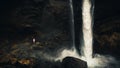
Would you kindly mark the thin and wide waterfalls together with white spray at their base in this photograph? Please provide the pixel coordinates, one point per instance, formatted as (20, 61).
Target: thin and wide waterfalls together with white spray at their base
(98, 61)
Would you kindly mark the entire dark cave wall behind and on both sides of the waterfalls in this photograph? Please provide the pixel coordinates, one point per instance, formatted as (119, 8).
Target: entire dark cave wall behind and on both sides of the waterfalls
(50, 22)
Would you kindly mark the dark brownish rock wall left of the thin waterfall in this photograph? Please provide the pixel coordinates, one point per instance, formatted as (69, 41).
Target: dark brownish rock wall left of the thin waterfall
(42, 20)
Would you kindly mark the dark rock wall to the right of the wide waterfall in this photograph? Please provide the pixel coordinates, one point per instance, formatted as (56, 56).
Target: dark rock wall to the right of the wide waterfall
(106, 27)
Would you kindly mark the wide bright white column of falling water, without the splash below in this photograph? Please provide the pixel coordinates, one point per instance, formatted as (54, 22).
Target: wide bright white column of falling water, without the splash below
(87, 29)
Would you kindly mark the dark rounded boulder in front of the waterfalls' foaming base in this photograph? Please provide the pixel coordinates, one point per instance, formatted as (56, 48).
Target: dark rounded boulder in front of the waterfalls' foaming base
(70, 62)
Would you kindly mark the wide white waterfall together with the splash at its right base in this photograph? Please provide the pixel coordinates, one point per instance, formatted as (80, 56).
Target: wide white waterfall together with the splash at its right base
(98, 61)
